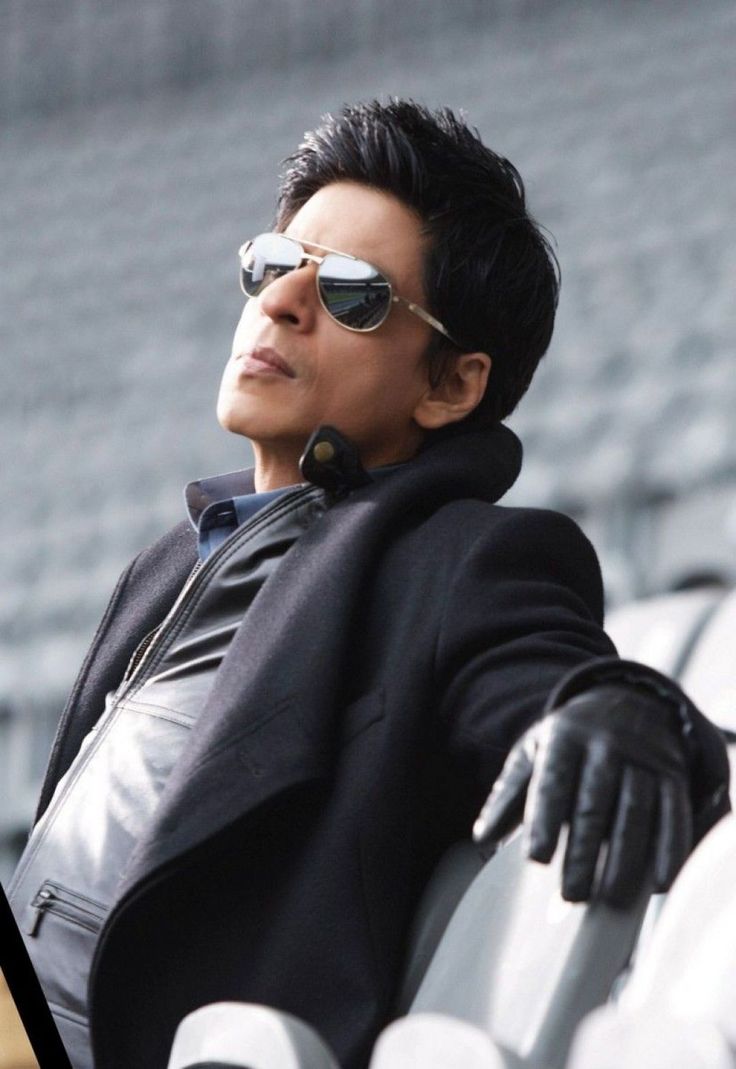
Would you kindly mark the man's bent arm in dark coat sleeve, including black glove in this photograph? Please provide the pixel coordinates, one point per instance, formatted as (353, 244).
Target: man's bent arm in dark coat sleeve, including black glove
(606, 747)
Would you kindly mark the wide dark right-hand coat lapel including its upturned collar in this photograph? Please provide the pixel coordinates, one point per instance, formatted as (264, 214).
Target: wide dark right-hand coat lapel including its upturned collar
(271, 721)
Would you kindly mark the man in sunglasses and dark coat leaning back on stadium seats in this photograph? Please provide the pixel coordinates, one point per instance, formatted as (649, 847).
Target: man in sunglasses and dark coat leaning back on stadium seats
(309, 688)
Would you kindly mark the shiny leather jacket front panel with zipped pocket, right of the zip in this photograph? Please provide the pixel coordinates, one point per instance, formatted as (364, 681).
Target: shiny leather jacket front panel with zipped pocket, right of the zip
(69, 875)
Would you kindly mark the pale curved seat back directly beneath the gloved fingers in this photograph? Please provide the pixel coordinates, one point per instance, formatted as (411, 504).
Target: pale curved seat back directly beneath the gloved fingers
(522, 964)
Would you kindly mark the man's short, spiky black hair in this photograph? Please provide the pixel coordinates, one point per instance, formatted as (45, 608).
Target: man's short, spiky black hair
(492, 276)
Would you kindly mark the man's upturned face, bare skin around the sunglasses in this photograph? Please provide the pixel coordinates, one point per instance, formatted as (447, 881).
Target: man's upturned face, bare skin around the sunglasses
(294, 368)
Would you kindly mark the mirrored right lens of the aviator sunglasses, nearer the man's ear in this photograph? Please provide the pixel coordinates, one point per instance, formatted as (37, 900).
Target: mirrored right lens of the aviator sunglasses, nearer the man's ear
(354, 292)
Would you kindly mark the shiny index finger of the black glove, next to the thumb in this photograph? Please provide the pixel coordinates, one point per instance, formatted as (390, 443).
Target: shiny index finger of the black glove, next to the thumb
(553, 792)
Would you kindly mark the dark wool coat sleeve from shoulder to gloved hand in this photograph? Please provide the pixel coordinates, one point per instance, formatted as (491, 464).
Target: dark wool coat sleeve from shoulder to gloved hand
(525, 607)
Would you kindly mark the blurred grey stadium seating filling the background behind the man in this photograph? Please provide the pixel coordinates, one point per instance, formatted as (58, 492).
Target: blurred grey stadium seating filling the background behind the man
(140, 147)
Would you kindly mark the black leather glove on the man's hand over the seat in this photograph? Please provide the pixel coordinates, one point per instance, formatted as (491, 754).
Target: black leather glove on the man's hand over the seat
(614, 763)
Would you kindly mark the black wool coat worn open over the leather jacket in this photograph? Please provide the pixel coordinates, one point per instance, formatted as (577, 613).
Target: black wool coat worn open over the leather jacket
(352, 733)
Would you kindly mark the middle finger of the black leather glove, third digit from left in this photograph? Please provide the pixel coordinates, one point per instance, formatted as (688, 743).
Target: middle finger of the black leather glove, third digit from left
(592, 819)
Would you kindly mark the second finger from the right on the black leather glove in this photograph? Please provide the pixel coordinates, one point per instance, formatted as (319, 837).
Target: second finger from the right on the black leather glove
(631, 843)
